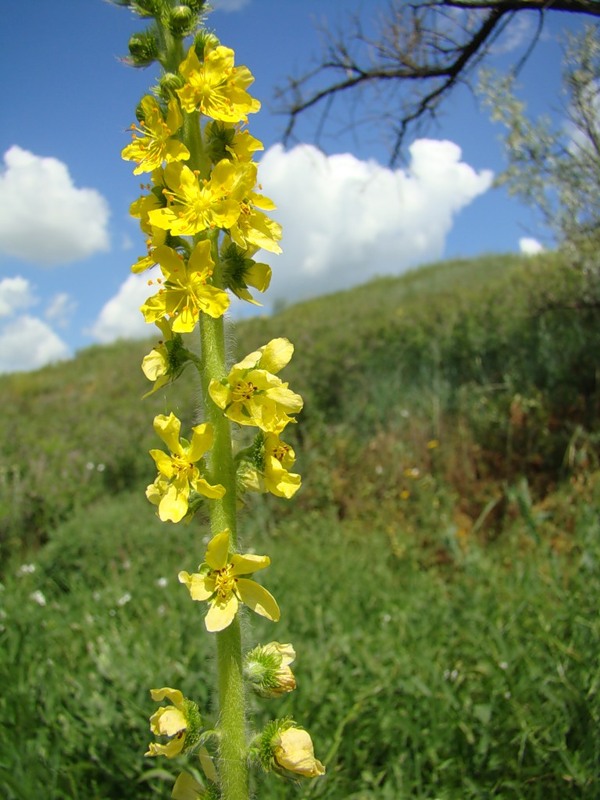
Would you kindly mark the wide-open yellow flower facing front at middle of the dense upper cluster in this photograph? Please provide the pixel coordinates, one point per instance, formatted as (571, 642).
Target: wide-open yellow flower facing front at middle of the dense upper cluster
(195, 206)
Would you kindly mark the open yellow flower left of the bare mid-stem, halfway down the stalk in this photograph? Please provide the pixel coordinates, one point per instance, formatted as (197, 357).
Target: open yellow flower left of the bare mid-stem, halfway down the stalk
(178, 474)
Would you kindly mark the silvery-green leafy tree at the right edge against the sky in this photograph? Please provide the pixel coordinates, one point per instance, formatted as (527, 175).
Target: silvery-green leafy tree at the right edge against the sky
(554, 166)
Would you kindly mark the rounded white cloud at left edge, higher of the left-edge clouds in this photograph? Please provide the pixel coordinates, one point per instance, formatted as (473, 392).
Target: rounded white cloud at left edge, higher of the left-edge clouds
(44, 218)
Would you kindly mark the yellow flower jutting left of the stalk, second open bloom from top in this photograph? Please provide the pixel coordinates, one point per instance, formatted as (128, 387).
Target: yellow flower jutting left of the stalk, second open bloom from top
(156, 143)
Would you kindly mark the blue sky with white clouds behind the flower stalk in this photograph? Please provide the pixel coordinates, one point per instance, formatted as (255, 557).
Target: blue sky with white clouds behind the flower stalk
(66, 238)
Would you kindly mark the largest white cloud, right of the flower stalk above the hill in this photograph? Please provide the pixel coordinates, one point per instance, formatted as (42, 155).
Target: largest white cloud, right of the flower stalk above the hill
(346, 221)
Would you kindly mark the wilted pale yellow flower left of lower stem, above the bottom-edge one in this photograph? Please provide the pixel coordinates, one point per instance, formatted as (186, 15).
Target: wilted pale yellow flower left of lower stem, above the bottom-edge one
(180, 722)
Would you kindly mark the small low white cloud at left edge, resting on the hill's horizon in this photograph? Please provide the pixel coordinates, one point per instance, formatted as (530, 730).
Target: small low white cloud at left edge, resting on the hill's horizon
(27, 343)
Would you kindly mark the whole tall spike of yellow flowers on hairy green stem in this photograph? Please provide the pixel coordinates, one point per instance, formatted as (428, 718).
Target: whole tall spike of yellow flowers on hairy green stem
(205, 218)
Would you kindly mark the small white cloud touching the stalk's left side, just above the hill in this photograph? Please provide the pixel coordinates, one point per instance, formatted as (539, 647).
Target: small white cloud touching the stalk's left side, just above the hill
(120, 317)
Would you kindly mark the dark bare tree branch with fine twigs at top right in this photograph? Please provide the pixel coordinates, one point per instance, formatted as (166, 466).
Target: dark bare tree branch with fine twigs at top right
(418, 55)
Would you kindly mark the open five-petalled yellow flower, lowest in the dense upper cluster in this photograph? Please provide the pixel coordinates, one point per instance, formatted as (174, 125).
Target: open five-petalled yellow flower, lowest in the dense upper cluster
(185, 292)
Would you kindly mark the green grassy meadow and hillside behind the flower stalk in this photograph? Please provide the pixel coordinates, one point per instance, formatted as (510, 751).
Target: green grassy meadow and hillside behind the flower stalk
(438, 573)
